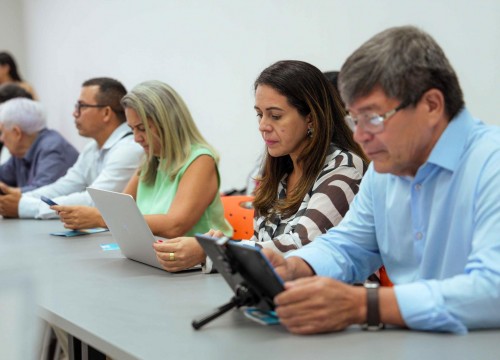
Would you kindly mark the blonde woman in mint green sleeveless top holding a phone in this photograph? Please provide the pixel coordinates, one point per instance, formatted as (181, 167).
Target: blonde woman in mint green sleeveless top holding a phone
(177, 185)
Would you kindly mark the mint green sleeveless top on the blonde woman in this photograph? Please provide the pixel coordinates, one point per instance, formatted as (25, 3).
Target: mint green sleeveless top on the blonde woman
(156, 198)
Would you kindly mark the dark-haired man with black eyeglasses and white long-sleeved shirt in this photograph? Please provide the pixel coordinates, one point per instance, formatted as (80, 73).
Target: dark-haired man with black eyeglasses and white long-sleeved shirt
(107, 162)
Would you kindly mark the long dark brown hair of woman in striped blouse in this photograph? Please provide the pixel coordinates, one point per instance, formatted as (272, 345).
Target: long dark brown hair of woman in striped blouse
(308, 90)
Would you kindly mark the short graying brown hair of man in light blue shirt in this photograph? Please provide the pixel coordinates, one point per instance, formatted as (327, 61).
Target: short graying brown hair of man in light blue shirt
(405, 62)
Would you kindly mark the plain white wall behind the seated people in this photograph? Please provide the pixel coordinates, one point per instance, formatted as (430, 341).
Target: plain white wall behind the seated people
(211, 51)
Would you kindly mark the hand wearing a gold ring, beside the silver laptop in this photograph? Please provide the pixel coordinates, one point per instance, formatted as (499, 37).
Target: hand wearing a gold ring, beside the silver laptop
(179, 254)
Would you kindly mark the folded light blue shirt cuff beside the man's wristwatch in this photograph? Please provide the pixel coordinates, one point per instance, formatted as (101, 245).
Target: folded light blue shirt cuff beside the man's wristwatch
(423, 308)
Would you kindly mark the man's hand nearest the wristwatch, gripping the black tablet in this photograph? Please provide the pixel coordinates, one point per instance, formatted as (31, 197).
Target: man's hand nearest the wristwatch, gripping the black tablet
(318, 304)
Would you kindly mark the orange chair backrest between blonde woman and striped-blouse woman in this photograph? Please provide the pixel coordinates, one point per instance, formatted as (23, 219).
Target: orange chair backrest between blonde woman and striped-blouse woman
(238, 211)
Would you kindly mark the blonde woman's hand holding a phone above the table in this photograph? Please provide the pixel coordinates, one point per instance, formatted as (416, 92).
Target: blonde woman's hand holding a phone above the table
(79, 217)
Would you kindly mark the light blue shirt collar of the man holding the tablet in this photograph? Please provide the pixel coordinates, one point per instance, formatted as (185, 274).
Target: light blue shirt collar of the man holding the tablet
(451, 145)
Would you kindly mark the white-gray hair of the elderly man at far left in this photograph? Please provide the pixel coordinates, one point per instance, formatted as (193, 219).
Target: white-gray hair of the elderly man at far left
(28, 114)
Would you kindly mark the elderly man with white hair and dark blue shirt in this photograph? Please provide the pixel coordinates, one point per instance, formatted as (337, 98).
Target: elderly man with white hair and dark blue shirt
(39, 155)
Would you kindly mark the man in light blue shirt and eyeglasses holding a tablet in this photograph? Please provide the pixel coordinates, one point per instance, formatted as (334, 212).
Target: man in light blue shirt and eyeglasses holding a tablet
(428, 208)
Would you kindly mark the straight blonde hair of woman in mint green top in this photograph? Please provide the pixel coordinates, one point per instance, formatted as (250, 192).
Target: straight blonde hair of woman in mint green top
(157, 104)
